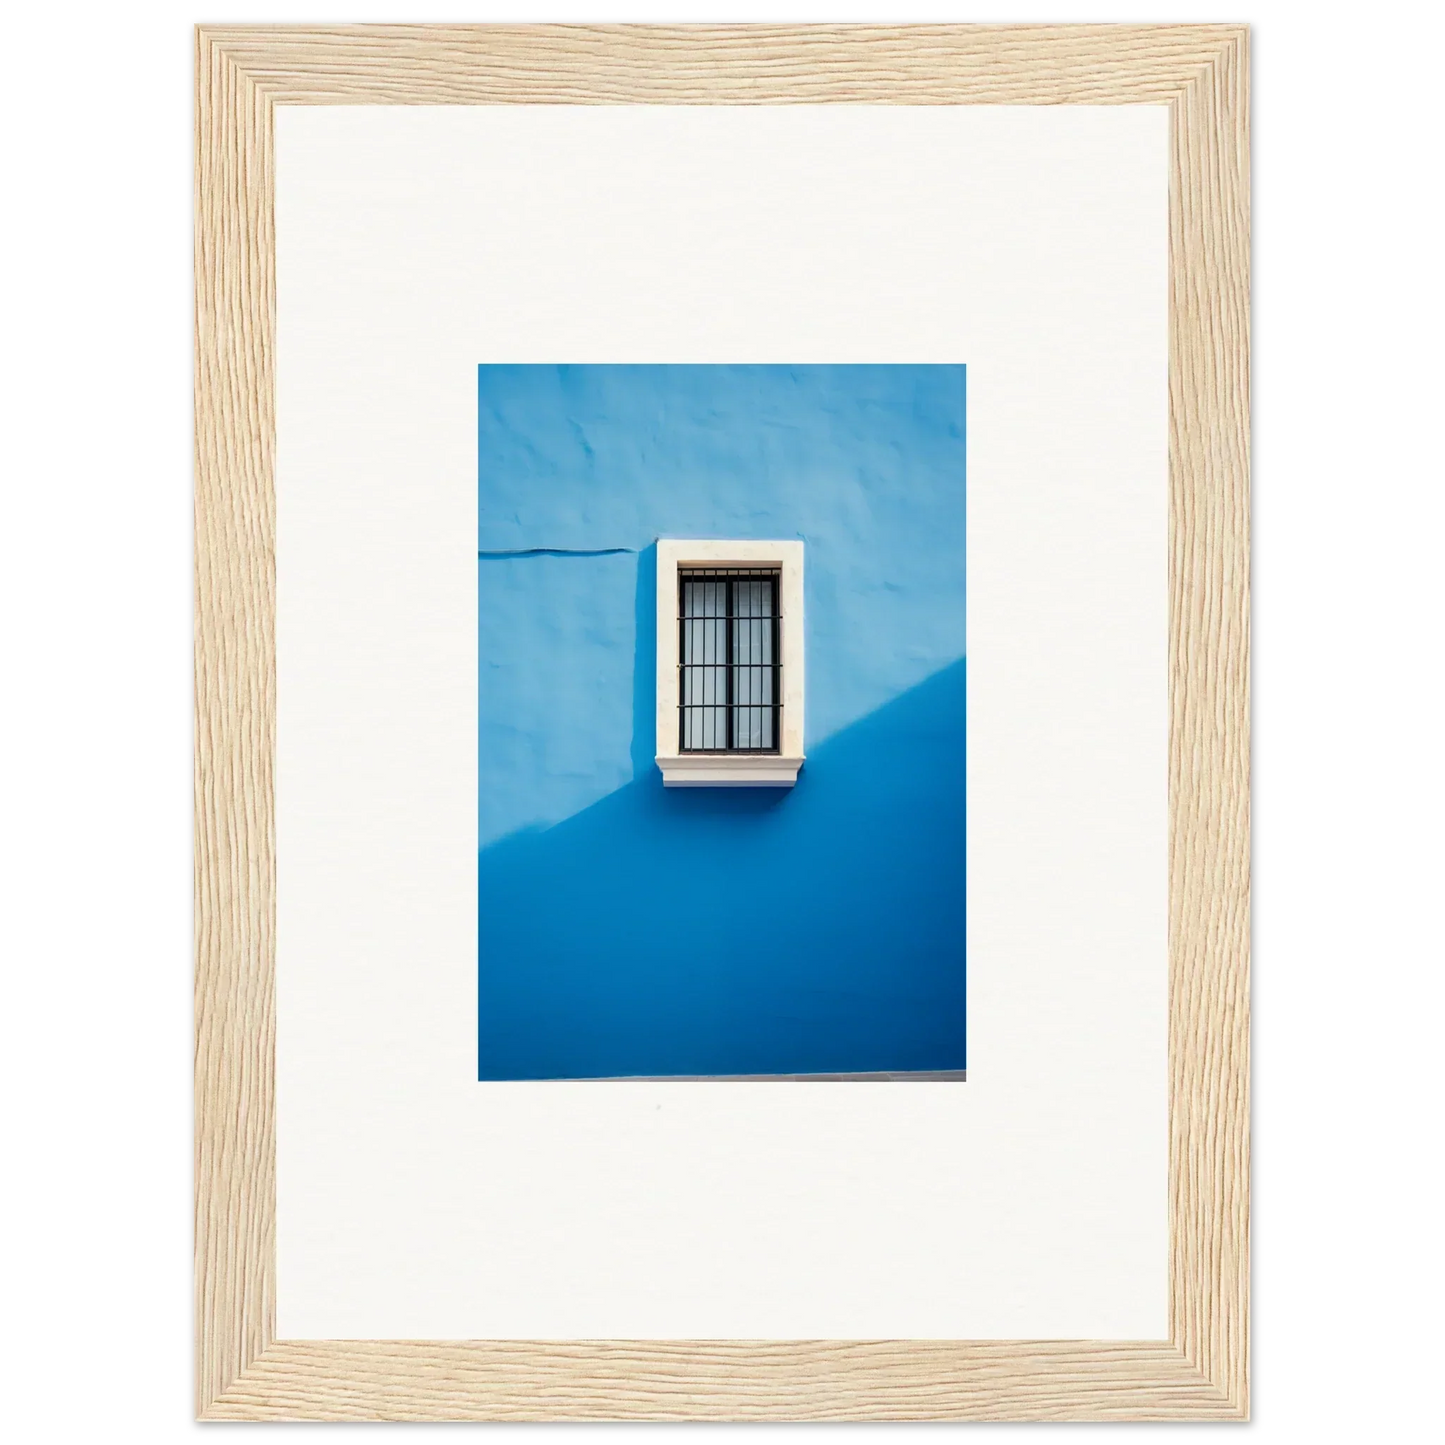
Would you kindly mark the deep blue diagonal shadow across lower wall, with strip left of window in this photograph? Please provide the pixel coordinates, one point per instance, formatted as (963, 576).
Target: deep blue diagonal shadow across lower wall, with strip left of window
(817, 930)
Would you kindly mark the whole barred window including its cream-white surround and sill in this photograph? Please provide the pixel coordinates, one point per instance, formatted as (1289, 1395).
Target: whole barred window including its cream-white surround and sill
(730, 664)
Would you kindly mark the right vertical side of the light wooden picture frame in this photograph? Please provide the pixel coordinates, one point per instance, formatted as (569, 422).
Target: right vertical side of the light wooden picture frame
(1210, 723)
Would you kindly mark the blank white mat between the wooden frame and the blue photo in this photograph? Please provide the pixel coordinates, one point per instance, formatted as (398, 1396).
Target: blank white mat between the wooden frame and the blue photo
(1028, 243)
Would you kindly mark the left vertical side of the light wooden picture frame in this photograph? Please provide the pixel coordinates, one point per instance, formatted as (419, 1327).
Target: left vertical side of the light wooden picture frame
(235, 725)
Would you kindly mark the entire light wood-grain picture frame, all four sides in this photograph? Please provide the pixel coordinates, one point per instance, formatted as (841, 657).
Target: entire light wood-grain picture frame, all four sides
(242, 73)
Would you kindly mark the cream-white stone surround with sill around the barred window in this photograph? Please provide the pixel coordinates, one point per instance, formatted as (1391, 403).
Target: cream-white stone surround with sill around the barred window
(732, 769)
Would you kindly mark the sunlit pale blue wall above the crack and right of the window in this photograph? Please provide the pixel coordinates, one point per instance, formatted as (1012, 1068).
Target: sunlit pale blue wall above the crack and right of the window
(863, 463)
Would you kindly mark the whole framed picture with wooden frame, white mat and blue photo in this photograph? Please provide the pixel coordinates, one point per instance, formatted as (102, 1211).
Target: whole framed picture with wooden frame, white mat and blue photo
(722, 723)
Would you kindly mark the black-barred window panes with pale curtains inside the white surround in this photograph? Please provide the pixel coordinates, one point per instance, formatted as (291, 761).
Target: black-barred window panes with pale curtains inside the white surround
(729, 660)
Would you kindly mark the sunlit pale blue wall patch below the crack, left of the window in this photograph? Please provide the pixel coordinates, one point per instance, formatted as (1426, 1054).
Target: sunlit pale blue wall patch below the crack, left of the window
(556, 719)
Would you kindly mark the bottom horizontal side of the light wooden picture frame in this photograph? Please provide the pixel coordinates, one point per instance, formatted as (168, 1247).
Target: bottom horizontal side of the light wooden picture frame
(728, 1381)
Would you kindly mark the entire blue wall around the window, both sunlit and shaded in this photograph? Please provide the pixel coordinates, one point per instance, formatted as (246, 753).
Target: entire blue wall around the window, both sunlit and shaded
(626, 928)
